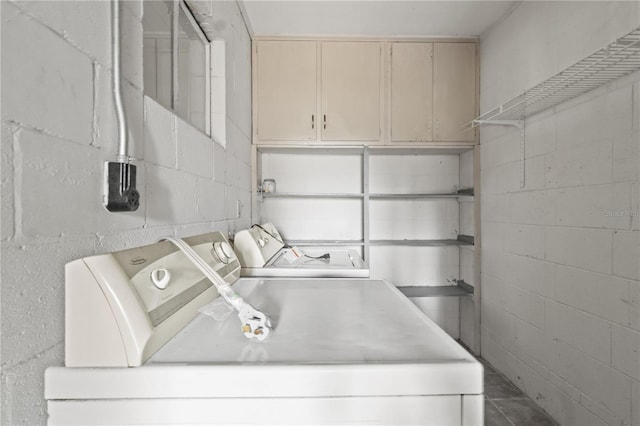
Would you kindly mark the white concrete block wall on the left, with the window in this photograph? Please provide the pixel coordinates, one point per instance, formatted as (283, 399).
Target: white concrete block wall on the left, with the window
(58, 127)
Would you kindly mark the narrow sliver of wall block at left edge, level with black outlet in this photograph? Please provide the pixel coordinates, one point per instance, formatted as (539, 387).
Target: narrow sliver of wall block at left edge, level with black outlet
(7, 208)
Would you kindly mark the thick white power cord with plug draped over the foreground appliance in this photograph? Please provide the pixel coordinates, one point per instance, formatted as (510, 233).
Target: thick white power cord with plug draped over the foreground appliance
(254, 322)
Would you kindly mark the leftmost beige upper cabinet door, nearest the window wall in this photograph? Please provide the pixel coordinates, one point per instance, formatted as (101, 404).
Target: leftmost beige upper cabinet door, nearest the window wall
(286, 90)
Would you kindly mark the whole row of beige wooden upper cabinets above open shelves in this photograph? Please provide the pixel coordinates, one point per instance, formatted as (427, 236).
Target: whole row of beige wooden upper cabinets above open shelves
(326, 91)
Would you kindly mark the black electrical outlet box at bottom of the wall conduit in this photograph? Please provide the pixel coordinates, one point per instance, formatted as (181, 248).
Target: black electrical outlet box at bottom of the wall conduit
(120, 193)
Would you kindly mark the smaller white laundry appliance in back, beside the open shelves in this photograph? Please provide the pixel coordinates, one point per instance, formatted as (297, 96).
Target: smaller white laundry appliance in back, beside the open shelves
(263, 253)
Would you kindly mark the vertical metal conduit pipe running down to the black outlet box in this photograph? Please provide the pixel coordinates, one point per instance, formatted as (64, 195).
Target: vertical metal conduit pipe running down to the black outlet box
(123, 156)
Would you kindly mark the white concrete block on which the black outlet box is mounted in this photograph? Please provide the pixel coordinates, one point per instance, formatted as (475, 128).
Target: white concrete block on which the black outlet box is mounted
(73, 177)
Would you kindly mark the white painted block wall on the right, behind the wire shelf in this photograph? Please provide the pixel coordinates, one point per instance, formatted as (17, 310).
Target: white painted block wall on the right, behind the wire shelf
(560, 258)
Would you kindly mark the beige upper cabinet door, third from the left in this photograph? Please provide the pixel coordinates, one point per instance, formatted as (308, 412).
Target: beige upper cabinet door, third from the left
(411, 92)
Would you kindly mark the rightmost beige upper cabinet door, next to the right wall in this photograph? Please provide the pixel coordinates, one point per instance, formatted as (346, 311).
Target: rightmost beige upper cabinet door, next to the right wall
(454, 90)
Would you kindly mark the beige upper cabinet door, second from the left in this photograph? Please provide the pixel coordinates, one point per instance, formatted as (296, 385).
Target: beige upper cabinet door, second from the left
(351, 91)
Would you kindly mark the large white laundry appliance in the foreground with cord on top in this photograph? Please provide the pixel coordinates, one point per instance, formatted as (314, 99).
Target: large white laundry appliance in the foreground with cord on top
(339, 351)
